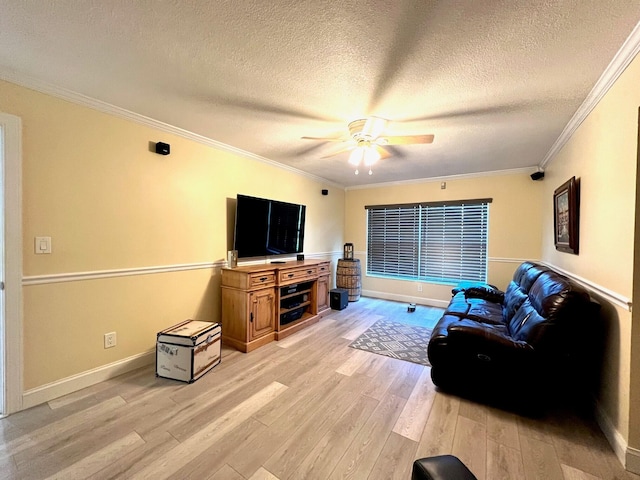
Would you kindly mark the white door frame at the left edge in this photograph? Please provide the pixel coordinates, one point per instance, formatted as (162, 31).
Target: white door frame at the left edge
(12, 362)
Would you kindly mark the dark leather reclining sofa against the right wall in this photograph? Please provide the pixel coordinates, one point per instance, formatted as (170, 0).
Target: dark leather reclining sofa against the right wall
(525, 344)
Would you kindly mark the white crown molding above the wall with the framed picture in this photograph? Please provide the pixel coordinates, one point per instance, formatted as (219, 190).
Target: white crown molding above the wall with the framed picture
(620, 62)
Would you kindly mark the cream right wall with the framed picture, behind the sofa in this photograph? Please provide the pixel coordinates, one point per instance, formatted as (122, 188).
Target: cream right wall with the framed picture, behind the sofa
(602, 154)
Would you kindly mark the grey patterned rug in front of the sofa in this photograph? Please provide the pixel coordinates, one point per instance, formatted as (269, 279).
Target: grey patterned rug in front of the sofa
(397, 340)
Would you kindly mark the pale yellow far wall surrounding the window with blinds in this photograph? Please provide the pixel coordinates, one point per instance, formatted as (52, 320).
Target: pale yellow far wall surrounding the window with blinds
(514, 225)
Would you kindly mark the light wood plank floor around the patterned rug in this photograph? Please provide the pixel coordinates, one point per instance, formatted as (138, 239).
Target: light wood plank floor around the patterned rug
(308, 407)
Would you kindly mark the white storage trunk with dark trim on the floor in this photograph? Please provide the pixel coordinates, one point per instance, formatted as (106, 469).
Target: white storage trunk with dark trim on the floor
(188, 350)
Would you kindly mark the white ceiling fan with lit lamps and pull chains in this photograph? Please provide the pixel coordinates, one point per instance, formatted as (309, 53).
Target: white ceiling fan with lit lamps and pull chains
(367, 143)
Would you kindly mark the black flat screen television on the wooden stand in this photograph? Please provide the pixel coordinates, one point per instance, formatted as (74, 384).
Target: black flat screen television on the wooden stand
(268, 227)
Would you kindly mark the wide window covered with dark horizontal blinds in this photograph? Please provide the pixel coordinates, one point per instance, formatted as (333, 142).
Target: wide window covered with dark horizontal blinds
(434, 242)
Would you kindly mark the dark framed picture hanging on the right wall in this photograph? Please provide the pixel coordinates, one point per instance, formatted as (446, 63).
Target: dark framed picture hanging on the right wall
(565, 216)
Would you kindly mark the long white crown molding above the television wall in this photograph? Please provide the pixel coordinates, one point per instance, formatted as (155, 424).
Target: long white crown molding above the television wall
(32, 83)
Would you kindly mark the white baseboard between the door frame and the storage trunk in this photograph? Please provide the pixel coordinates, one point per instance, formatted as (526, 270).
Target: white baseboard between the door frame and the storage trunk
(50, 391)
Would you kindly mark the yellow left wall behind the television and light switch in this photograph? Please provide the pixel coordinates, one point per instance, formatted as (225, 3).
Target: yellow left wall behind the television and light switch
(91, 182)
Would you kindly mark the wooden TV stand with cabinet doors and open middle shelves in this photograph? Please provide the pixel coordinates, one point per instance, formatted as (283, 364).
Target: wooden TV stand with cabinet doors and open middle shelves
(263, 303)
